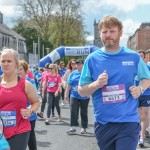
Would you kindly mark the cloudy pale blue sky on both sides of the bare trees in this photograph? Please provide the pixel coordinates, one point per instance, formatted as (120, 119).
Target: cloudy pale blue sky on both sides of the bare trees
(131, 12)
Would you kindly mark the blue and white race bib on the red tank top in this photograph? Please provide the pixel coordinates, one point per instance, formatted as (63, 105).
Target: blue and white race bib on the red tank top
(9, 118)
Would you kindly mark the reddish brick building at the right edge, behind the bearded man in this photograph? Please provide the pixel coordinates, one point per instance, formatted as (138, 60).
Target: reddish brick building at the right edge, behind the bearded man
(140, 40)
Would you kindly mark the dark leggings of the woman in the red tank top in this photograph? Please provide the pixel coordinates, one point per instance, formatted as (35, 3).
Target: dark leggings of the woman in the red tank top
(19, 141)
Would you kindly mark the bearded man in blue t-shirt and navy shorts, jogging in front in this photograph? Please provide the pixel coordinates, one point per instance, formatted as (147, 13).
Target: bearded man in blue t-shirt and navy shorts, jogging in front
(108, 75)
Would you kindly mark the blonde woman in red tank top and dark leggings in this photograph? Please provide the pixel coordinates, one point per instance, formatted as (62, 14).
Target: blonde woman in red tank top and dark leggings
(14, 95)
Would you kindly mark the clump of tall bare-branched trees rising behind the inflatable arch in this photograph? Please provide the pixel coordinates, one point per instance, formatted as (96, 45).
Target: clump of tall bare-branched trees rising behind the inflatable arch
(58, 21)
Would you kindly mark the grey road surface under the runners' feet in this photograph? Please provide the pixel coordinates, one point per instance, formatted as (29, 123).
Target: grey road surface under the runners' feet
(54, 136)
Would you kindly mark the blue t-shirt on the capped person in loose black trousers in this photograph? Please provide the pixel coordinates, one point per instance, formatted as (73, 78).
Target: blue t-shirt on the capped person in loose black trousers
(73, 80)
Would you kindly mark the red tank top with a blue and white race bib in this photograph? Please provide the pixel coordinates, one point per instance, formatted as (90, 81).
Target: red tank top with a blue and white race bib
(11, 101)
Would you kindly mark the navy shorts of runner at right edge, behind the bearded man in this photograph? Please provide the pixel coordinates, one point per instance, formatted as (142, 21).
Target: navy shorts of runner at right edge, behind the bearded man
(144, 101)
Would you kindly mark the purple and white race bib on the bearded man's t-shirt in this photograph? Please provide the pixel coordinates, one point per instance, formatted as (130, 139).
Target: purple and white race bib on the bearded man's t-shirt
(114, 94)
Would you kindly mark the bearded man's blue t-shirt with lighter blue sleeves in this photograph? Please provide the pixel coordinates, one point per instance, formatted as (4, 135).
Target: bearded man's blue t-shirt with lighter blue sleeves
(113, 102)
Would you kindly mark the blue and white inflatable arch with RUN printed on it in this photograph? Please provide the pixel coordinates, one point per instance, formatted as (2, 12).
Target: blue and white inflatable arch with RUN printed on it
(62, 51)
